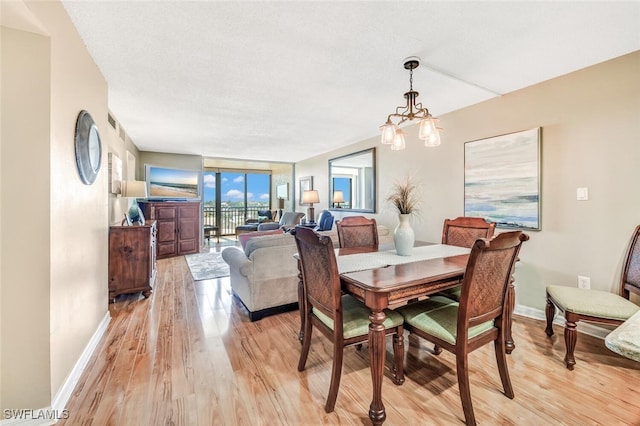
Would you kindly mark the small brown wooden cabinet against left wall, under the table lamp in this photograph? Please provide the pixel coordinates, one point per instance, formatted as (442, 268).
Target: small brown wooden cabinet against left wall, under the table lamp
(132, 259)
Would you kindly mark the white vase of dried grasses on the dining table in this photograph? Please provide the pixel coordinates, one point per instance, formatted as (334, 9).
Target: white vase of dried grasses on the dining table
(404, 197)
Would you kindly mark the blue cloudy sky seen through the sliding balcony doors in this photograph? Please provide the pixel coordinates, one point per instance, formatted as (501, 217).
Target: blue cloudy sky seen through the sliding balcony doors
(233, 187)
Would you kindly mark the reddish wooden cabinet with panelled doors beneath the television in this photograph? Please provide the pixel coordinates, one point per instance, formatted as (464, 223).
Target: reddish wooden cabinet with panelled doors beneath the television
(178, 226)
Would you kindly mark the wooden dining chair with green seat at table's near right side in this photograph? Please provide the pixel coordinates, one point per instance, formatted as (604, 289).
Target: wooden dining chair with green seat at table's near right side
(480, 317)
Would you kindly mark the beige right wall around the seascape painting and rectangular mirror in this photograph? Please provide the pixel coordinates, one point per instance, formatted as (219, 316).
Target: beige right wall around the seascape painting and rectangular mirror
(590, 123)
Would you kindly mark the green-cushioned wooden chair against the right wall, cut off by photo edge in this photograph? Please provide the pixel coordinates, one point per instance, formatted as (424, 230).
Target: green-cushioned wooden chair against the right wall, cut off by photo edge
(594, 305)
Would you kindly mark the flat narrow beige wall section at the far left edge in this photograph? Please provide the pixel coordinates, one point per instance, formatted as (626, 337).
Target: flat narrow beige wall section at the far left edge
(24, 227)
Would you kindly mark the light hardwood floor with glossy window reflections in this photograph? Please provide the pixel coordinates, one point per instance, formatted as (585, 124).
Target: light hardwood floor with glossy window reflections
(189, 356)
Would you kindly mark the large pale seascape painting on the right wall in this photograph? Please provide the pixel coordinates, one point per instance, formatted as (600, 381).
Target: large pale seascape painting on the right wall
(502, 179)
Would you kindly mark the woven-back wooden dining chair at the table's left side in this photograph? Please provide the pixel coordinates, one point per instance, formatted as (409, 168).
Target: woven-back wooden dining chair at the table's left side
(341, 318)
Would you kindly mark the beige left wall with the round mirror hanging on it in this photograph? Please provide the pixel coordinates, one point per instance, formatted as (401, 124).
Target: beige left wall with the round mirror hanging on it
(54, 236)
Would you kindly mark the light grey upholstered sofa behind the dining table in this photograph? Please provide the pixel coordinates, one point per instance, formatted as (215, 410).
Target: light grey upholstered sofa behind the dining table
(264, 274)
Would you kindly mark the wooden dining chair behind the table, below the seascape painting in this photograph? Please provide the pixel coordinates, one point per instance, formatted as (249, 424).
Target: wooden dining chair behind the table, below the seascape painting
(463, 232)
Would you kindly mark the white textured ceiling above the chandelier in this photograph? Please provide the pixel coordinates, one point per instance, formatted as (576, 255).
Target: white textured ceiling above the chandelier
(284, 81)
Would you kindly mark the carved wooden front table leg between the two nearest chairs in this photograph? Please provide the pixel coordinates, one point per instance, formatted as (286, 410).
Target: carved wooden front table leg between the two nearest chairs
(377, 353)
